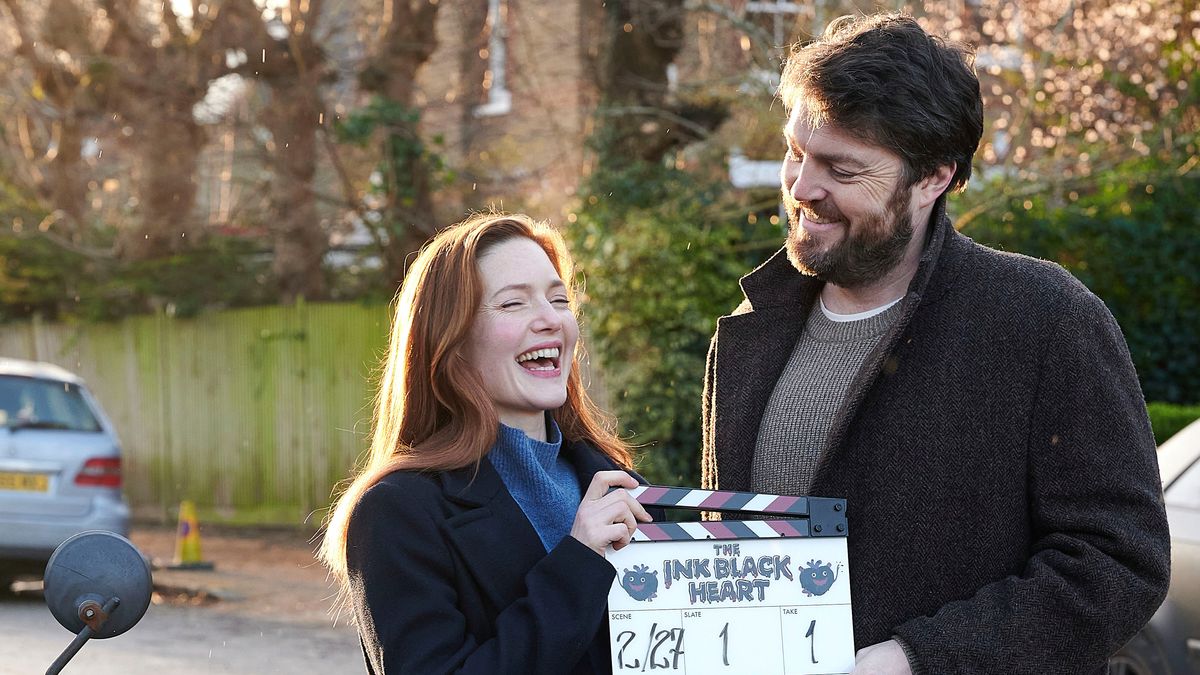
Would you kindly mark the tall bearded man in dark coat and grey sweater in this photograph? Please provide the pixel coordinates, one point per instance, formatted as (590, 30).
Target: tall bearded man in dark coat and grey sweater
(979, 410)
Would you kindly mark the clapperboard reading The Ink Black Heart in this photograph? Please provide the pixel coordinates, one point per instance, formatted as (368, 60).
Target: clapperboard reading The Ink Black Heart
(734, 596)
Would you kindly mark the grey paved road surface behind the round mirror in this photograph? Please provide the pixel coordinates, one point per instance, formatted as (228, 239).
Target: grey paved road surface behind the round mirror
(177, 640)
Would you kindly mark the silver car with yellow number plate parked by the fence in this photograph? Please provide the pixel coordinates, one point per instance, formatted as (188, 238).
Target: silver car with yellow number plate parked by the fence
(61, 465)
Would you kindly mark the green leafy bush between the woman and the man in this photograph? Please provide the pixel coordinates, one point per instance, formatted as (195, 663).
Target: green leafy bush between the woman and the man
(661, 254)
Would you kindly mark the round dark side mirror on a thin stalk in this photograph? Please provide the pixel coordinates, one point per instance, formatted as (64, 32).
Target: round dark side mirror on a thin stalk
(97, 586)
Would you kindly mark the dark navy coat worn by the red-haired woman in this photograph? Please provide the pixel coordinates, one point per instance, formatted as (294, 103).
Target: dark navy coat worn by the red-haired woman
(449, 576)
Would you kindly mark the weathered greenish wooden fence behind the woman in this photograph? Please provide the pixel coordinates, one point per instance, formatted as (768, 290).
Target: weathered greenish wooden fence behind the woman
(255, 415)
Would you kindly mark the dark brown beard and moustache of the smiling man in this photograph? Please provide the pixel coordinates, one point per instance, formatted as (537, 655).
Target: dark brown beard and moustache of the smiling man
(869, 250)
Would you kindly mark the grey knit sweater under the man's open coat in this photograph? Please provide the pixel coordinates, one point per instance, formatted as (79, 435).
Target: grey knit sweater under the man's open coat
(807, 398)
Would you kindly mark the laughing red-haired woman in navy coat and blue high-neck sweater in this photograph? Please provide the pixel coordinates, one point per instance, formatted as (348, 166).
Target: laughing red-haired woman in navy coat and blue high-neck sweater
(473, 539)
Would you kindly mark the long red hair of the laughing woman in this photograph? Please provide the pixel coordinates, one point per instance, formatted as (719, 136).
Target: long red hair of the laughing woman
(431, 411)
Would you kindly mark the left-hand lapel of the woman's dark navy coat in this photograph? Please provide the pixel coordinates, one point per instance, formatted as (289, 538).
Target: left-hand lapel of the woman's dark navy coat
(497, 542)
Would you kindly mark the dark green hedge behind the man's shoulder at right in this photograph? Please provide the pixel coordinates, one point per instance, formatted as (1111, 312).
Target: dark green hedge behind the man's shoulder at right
(1133, 237)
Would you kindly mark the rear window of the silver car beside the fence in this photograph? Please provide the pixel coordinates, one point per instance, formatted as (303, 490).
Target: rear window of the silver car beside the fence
(27, 403)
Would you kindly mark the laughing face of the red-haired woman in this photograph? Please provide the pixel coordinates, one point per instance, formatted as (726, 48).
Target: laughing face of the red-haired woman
(524, 338)
